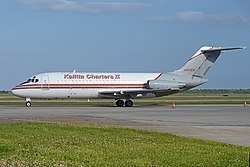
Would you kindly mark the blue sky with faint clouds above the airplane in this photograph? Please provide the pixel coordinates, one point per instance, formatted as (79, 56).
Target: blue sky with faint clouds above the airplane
(39, 36)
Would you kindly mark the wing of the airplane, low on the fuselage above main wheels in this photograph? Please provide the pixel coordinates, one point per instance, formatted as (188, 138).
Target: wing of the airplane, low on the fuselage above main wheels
(128, 94)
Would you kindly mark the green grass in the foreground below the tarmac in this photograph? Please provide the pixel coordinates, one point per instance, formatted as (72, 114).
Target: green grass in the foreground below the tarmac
(44, 144)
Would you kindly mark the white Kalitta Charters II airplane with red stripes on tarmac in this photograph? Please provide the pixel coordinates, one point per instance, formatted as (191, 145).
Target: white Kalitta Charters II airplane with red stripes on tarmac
(119, 86)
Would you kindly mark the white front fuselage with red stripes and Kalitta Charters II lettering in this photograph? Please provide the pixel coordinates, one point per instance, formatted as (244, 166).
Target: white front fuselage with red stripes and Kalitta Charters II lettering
(80, 85)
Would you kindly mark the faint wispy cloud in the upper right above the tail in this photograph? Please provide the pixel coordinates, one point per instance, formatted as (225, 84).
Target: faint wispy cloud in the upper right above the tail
(197, 16)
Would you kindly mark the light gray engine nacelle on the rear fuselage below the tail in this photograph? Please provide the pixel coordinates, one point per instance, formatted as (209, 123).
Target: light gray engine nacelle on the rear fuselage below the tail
(164, 84)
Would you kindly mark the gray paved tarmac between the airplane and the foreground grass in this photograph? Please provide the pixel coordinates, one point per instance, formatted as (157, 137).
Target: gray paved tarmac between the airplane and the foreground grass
(223, 123)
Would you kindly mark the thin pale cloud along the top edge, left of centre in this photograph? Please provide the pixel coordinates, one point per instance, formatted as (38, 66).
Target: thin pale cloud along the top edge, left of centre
(85, 7)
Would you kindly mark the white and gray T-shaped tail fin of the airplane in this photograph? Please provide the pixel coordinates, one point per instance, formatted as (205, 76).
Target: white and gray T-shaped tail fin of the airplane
(202, 60)
